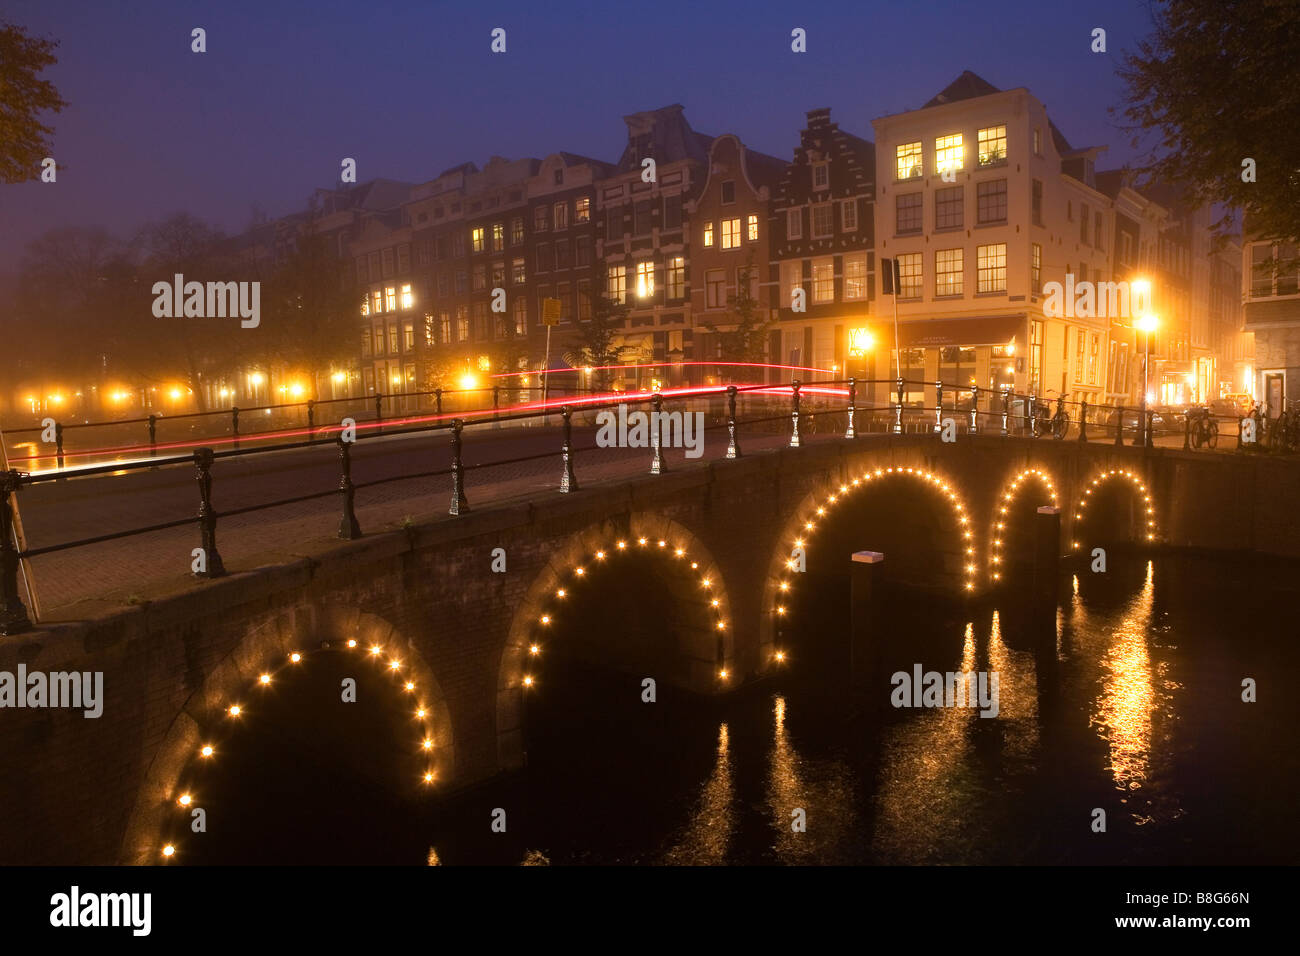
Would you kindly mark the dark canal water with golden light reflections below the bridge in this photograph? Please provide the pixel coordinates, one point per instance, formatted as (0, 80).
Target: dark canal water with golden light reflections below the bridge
(1134, 708)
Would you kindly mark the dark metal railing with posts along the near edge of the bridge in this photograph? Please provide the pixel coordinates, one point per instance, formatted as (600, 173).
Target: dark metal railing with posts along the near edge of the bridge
(804, 409)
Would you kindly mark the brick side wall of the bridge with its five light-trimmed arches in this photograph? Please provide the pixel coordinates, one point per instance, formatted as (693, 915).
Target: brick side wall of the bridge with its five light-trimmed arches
(456, 613)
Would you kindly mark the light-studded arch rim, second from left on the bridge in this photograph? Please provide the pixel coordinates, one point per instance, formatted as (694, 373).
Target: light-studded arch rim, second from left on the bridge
(679, 557)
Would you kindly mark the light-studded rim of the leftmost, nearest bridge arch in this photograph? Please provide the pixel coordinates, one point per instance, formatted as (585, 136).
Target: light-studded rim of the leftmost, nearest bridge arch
(280, 648)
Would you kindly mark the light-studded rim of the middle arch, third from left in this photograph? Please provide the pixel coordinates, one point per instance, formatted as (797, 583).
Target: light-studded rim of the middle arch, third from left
(812, 516)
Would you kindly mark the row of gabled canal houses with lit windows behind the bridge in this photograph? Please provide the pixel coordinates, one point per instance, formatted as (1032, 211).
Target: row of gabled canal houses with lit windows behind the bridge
(977, 194)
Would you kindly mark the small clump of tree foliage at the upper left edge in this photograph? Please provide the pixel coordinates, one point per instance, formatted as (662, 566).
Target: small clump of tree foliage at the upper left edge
(24, 140)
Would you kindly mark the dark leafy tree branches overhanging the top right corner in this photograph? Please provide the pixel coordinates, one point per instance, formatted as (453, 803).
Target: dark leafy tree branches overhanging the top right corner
(1215, 86)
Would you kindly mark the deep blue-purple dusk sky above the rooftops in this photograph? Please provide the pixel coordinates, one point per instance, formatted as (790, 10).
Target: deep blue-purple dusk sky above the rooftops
(409, 89)
